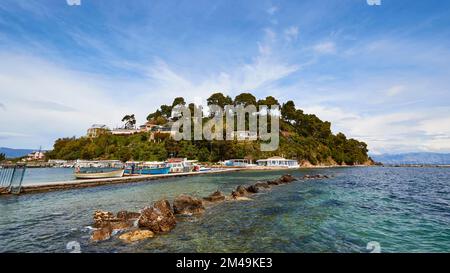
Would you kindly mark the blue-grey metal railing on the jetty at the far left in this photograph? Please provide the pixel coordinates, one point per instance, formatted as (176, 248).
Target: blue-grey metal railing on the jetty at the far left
(11, 177)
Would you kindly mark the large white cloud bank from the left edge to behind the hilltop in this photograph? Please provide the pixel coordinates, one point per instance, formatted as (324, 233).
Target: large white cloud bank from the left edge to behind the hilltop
(42, 100)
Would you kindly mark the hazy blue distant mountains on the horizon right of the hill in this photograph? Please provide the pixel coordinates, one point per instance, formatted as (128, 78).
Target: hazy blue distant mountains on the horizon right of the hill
(413, 158)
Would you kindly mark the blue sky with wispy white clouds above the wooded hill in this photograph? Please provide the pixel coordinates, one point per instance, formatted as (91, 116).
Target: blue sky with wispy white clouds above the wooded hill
(378, 73)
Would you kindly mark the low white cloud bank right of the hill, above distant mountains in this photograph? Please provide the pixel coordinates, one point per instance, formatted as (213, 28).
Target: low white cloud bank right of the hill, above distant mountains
(391, 132)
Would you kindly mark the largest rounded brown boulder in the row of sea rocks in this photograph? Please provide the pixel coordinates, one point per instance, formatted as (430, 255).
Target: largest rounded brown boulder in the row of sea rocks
(159, 218)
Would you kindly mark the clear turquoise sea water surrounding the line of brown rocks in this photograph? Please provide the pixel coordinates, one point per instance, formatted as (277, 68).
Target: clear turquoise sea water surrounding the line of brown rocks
(404, 209)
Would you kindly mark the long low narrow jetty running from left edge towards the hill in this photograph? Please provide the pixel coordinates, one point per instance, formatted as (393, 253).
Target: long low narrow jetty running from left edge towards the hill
(88, 183)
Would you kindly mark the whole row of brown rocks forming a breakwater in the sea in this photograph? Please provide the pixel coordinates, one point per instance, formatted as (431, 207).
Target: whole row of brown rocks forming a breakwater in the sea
(162, 216)
